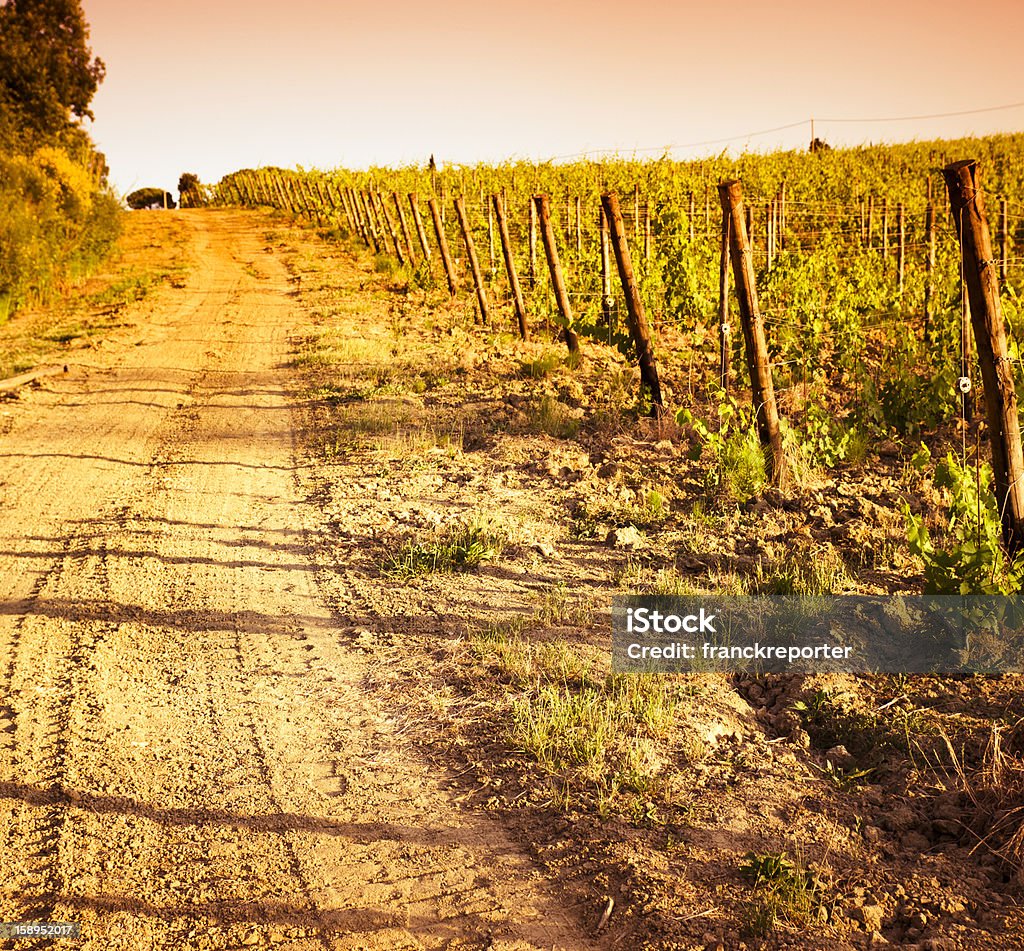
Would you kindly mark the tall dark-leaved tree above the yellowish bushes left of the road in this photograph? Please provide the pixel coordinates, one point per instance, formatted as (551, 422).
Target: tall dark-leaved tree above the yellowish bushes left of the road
(49, 75)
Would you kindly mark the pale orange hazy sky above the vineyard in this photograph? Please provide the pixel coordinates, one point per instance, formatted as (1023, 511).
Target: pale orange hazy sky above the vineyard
(211, 88)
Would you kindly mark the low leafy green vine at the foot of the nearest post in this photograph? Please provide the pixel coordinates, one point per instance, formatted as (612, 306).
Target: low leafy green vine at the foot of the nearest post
(974, 561)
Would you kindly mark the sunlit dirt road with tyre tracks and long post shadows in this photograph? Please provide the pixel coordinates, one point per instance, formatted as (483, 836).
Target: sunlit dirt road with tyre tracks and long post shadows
(189, 758)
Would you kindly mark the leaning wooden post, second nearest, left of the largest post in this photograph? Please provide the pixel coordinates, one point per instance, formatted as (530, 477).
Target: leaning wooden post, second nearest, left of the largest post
(758, 362)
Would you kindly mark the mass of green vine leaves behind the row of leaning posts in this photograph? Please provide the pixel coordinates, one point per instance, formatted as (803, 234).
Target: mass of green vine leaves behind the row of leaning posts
(841, 243)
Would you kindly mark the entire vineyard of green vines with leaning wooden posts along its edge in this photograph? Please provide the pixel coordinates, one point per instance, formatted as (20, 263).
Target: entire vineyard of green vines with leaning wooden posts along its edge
(851, 261)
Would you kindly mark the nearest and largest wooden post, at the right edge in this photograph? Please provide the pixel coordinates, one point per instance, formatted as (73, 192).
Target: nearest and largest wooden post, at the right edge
(982, 276)
